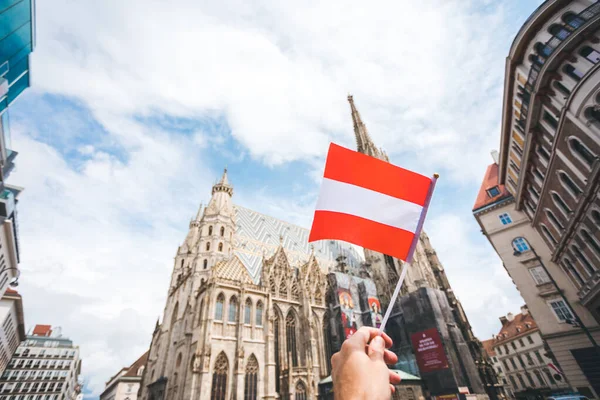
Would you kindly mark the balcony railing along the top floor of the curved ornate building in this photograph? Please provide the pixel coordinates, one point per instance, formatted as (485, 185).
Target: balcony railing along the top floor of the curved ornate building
(547, 49)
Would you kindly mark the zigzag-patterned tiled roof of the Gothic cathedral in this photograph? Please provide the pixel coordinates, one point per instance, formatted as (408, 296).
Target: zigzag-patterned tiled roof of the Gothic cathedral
(257, 233)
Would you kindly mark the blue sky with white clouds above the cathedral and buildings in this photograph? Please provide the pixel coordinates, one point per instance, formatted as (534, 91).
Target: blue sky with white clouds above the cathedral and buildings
(127, 126)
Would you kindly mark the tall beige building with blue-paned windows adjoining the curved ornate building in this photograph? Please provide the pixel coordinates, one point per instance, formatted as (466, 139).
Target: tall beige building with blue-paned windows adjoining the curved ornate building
(511, 234)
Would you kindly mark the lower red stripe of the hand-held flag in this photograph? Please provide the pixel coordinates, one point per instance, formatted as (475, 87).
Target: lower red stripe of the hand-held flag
(363, 232)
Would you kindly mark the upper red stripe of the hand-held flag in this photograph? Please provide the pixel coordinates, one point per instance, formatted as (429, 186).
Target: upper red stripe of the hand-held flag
(361, 170)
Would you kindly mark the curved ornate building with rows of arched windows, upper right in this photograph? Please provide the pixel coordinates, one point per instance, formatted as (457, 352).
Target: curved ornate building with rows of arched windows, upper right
(550, 140)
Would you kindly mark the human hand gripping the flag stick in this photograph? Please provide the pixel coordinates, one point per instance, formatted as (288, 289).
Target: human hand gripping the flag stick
(358, 369)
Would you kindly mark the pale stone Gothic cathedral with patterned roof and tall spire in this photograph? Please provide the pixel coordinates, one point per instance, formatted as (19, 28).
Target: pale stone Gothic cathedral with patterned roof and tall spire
(246, 315)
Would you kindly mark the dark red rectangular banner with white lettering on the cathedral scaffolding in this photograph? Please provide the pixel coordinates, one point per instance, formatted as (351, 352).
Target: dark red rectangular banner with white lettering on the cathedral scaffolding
(429, 350)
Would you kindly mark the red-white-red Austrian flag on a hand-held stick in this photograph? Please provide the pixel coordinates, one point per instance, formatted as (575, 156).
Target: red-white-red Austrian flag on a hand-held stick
(371, 203)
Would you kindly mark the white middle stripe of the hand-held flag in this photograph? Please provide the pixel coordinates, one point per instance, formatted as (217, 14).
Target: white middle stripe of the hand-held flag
(350, 199)
